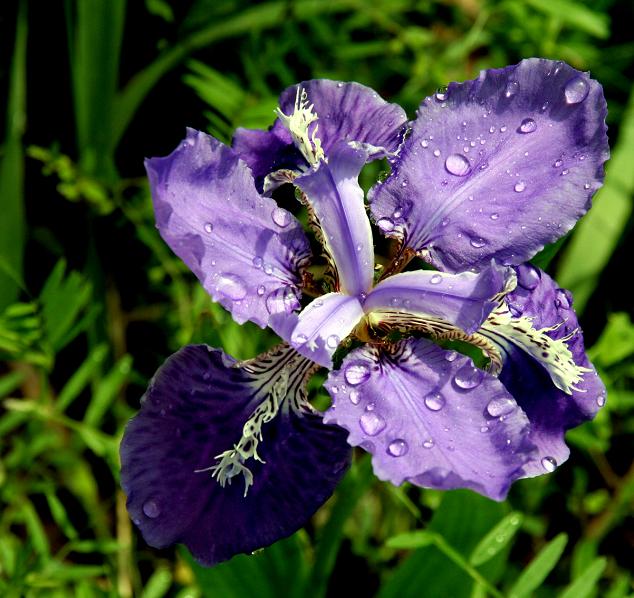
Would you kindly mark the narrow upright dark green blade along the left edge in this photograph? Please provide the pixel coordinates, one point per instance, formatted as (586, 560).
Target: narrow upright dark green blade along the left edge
(12, 221)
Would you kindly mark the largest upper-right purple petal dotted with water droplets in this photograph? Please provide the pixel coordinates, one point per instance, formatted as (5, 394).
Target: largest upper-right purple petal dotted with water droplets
(497, 167)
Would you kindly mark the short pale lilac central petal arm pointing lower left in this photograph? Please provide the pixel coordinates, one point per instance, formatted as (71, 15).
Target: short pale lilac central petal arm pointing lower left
(320, 327)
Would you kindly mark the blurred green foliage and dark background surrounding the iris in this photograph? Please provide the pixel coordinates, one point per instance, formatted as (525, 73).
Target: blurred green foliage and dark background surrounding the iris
(92, 301)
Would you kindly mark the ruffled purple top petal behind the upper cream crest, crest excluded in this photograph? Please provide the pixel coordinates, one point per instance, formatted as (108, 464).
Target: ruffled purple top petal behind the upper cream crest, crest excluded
(346, 111)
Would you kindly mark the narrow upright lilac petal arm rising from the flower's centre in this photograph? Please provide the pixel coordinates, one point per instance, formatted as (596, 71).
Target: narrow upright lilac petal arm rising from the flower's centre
(335, 196)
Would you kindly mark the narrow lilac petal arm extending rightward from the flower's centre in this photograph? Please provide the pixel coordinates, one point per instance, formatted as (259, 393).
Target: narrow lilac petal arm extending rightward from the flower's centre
(464, 300)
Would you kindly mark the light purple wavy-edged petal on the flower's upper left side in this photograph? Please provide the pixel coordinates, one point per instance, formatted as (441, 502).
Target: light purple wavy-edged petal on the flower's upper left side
(246, 251)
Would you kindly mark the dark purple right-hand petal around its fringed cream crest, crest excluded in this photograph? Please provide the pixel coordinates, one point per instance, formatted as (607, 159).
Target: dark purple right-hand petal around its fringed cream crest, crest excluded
(551, 411)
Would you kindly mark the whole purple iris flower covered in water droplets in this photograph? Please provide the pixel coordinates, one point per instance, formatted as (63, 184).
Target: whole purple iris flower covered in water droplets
(226, 456)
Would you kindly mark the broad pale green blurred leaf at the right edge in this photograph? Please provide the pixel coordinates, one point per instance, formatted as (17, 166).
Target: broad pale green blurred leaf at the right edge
(595, 238)
